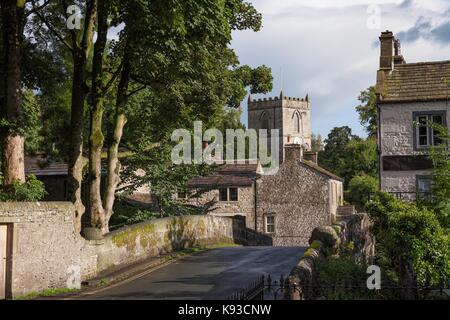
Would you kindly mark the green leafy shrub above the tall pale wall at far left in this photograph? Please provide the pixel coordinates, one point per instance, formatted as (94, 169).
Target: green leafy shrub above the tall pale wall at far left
(32, 190)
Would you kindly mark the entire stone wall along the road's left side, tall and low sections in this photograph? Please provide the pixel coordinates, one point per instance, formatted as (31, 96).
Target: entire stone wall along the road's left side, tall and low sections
(47, 252)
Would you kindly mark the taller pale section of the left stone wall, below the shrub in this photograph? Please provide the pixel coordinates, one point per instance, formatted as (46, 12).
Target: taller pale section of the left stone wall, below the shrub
(44, 247)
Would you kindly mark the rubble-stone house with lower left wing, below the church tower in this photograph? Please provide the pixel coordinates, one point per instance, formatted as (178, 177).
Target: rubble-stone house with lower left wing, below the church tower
(286, 206)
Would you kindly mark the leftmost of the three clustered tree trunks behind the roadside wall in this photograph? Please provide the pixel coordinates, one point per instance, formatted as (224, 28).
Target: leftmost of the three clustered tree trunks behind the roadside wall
(79, 92)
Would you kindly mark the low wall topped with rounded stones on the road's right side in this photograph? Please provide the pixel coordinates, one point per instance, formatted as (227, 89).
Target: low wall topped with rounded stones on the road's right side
(326, 241)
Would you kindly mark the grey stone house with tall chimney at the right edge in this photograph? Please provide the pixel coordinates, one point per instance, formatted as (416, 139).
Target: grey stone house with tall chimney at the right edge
(408, 94)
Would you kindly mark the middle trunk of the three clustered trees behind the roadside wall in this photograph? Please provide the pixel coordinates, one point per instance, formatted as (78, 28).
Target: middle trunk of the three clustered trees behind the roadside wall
(96, 138)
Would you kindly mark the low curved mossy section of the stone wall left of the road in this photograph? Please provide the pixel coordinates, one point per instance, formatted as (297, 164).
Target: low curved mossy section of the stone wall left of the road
(156, 237)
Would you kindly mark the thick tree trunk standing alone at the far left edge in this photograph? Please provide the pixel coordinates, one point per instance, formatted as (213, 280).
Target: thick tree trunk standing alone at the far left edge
(13, 142)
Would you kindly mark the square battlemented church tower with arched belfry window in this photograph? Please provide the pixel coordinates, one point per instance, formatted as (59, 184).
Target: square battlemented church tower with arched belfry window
(291, 116)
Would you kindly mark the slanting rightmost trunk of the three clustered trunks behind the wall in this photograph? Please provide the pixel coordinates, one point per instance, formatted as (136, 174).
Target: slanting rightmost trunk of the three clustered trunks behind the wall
(113, 178)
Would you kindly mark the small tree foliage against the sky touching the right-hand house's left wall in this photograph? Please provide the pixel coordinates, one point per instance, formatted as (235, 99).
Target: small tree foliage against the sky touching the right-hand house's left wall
(367, 111)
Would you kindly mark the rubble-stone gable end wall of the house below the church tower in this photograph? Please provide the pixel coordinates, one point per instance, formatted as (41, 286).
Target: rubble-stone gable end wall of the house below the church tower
(299, 198)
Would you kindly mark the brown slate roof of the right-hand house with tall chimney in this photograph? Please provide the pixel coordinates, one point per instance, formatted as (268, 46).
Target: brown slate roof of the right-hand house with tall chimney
(417, 82)
